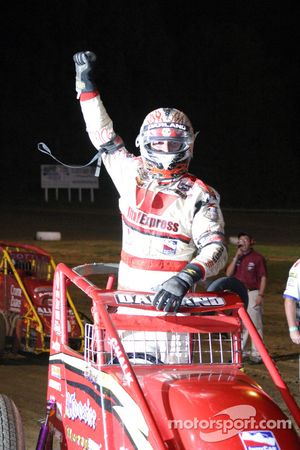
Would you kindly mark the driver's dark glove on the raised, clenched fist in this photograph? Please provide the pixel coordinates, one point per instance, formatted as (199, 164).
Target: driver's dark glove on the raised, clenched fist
(84, 62)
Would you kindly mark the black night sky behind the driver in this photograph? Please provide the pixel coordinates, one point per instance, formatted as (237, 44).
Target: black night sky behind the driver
(232, 66)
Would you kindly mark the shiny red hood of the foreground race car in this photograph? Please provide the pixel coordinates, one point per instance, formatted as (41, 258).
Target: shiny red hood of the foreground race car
(213, 408)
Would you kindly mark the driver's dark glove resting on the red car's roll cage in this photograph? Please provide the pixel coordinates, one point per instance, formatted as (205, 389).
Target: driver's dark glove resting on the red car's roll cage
(173, 290)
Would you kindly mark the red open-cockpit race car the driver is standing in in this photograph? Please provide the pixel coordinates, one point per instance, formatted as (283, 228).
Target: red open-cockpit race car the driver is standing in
(121, 394)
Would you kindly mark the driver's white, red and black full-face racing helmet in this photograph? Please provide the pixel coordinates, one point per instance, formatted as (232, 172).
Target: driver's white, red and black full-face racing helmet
(166, 141)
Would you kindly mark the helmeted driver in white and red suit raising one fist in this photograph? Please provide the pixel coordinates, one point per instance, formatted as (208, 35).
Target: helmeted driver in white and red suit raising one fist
(173, 228)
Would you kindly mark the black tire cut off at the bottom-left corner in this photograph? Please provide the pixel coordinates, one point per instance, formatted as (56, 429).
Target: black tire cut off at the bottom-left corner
(11, 427)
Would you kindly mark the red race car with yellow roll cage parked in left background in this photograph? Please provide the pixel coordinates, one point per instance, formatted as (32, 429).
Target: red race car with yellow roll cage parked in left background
(26, 283)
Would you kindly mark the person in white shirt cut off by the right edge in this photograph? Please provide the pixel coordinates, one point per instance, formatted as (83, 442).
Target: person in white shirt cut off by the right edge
(292, 301)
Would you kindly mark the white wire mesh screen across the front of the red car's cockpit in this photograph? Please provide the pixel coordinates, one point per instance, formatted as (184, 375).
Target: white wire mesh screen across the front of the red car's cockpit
(145, 347)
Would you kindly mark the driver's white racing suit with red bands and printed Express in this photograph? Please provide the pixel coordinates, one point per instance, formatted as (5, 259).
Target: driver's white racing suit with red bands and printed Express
(166, 224)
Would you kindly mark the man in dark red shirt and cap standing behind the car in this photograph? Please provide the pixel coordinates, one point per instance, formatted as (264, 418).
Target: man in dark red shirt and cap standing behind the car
(250, 268)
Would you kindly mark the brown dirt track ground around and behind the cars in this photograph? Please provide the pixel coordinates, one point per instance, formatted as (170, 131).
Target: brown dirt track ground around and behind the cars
(25, 381)
